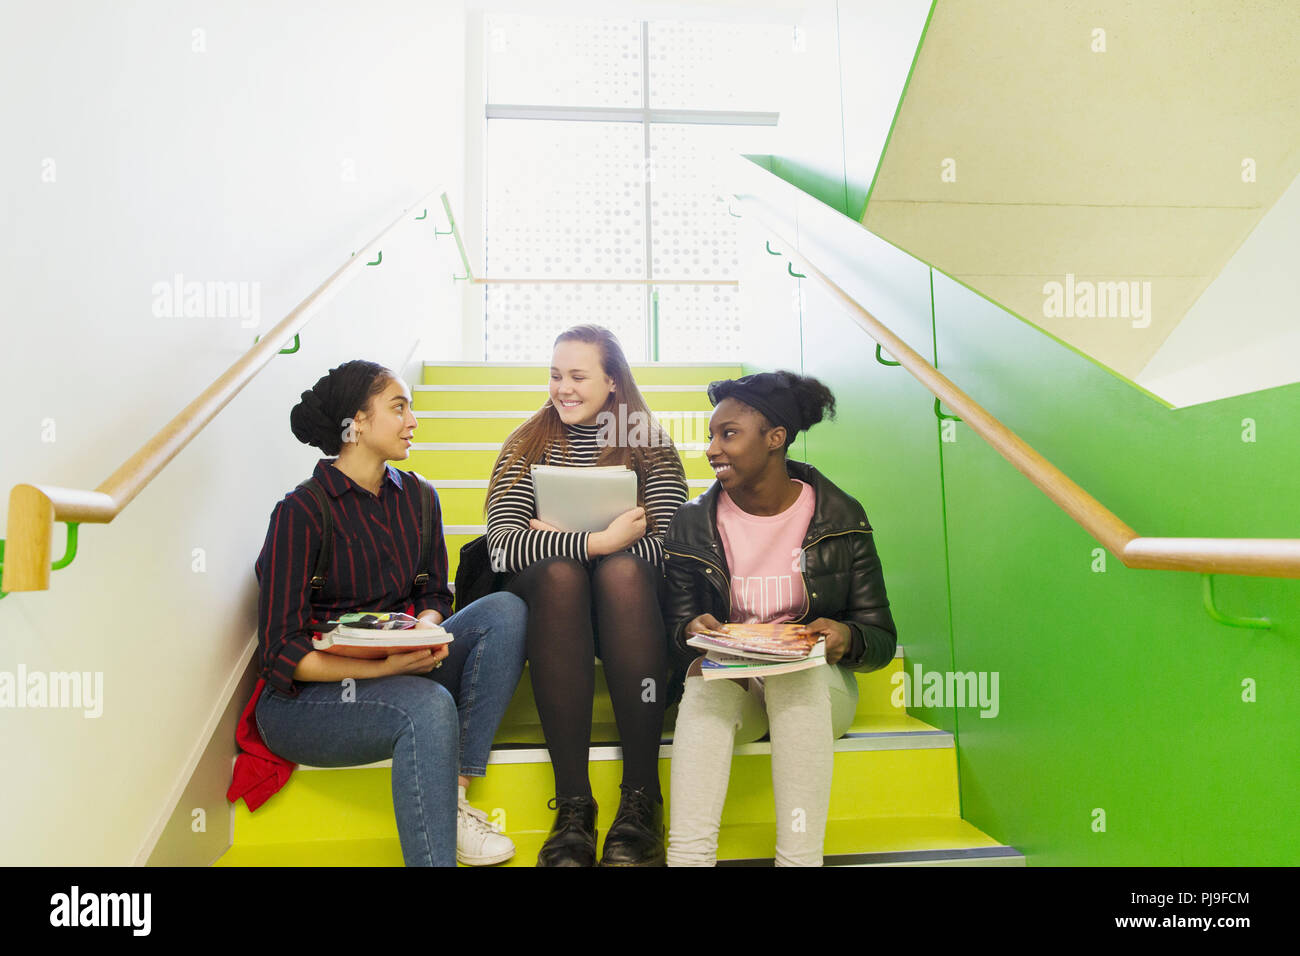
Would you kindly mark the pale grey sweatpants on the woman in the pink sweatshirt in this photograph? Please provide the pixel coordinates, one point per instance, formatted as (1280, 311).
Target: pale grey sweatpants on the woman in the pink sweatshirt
(800, 720)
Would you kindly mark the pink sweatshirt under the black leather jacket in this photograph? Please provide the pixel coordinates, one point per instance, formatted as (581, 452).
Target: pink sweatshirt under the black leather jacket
(764, 559)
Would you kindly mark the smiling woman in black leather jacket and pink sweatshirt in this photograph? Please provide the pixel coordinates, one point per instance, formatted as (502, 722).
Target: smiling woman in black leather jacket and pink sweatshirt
(772, 540)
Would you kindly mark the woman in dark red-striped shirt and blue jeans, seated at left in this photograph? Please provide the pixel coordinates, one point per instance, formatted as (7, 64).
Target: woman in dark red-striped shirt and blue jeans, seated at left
(434, 712)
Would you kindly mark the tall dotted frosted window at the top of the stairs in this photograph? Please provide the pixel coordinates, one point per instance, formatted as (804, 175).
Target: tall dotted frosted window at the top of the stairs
(567, 197)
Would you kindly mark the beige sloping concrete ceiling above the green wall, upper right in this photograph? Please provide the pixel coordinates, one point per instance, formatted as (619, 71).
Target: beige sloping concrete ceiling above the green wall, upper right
(1091, 145)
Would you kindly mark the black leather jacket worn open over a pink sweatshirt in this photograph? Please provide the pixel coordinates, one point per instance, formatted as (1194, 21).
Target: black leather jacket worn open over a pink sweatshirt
(842, 577)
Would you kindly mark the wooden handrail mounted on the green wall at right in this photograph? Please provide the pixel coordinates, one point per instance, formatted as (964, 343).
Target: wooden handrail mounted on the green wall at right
(1240, 556)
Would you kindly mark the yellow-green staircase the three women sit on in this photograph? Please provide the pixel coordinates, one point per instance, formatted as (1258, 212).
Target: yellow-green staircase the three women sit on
(895, 794)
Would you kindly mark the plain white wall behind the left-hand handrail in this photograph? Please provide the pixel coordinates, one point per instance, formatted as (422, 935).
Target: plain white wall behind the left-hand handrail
(228, 163)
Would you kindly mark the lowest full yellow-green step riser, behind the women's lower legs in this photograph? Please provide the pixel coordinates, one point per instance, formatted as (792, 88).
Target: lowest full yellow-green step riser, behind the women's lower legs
(358, 804)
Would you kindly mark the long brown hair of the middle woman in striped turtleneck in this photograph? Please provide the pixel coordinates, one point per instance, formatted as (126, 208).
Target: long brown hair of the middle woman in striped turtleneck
(544, 431)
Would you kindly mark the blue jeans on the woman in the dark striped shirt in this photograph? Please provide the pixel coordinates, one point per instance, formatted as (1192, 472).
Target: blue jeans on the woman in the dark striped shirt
(431, 725)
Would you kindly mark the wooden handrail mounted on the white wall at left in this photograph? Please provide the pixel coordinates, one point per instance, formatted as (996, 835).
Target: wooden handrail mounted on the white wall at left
(34, 509)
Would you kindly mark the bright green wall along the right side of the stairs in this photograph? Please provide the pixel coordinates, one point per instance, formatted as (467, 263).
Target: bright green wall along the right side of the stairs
(1117, 693)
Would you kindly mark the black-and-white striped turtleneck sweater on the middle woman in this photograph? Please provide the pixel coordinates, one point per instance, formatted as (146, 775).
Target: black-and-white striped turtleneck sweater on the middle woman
(515, 546)
